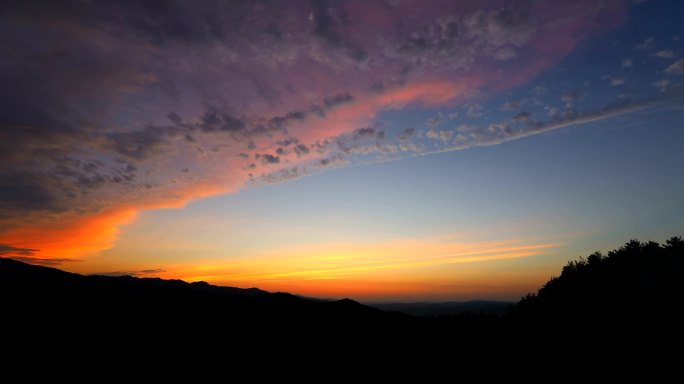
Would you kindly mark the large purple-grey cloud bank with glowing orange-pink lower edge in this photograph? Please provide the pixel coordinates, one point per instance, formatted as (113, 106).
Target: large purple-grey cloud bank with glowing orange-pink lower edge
(106, 106)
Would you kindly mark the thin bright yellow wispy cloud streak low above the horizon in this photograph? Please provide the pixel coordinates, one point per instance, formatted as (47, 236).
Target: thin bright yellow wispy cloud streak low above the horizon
(342, 261)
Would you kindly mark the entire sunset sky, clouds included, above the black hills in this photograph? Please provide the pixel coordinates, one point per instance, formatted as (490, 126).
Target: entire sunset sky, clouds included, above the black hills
(389, 150)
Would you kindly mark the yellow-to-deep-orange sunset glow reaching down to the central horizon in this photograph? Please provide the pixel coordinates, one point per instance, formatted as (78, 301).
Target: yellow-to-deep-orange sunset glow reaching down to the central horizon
(377, 270)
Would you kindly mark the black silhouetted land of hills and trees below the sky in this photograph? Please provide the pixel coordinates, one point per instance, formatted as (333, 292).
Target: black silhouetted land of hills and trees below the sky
(605, 318)
